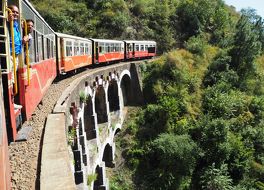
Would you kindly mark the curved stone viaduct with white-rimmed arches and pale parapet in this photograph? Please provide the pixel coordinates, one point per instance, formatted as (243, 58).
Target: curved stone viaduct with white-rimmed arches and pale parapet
(79, 135)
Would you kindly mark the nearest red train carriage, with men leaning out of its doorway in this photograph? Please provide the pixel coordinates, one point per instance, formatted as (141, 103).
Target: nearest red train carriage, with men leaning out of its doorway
(36, 67)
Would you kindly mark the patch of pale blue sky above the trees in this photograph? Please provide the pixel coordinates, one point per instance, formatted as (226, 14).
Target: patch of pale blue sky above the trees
(255, 4)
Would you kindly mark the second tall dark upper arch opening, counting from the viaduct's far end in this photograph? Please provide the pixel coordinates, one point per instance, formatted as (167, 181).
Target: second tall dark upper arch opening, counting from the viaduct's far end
(113, 98)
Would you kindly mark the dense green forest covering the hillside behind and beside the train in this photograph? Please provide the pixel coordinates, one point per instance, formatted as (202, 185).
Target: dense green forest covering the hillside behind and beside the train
(202, 126)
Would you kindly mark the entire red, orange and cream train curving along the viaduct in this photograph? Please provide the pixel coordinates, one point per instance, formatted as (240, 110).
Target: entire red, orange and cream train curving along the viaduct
(50, 55)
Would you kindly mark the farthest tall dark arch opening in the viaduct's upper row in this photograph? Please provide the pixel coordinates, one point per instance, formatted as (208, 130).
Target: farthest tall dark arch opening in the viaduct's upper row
(126, 89)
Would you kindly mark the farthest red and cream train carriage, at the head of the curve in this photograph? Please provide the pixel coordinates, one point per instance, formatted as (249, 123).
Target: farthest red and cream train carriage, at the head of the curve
(139, 49)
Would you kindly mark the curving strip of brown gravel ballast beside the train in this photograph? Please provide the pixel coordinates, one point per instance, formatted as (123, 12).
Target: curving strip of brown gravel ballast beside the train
(25, 156)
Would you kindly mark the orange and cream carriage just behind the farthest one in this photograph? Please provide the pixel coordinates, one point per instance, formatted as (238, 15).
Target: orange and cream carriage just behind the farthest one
(107, 51)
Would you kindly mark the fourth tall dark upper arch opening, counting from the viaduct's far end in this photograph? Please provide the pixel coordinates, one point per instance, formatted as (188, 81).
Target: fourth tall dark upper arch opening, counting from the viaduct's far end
(88, 117)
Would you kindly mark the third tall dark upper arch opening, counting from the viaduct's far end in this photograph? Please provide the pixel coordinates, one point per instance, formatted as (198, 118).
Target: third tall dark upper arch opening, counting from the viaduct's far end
(100, 105)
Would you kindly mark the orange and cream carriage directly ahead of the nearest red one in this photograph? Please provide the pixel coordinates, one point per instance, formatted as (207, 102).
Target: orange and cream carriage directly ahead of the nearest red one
(72, 52)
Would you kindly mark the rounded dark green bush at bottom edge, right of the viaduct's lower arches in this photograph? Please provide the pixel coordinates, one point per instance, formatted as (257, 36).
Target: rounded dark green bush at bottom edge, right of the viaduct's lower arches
(171, 157)
